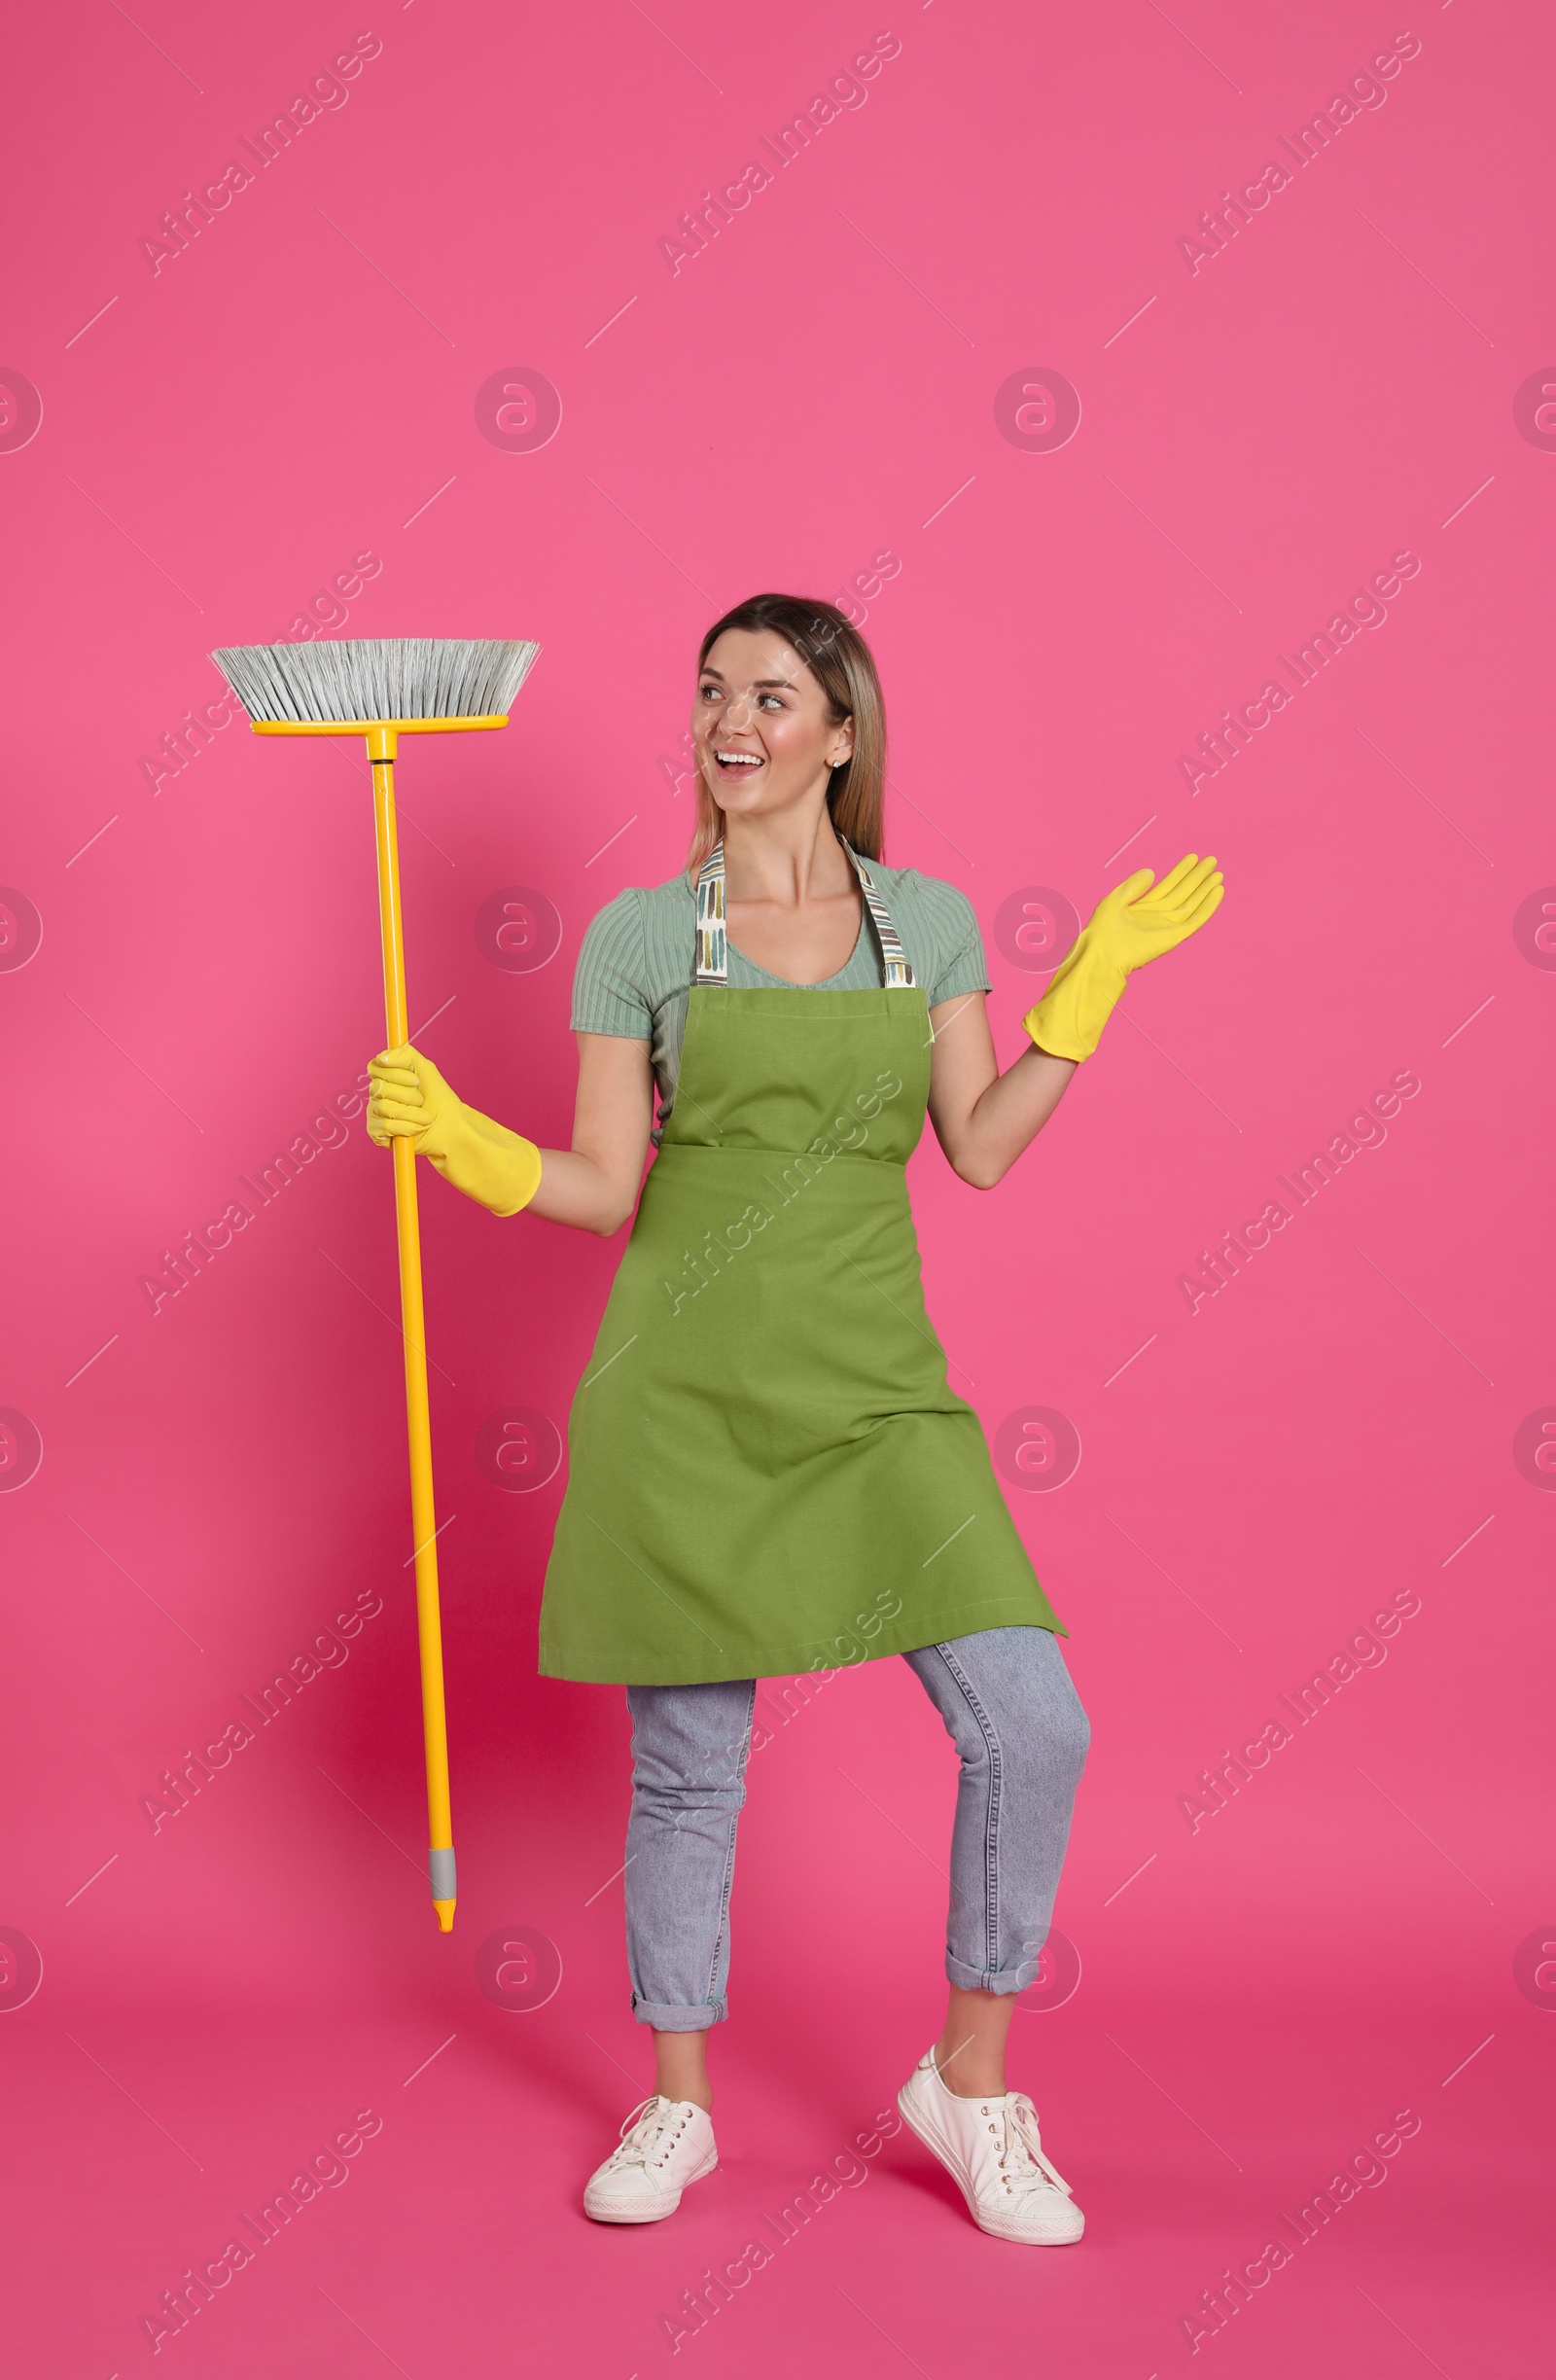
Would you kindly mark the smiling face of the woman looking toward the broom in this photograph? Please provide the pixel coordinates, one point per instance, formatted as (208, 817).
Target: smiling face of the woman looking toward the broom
(763, 725)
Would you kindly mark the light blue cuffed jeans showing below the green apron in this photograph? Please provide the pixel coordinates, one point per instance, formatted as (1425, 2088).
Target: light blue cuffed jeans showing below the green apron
(1017, 1722)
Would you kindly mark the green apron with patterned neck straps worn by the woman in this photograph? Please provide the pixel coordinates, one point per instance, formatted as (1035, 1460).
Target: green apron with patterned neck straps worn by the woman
(770, 1470)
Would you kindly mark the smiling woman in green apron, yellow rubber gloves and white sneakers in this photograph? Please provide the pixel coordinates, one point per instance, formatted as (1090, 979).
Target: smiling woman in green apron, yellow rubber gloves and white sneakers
(770, 1470)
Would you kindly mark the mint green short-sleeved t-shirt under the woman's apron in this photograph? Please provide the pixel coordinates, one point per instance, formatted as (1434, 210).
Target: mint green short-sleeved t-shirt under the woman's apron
(636, 960)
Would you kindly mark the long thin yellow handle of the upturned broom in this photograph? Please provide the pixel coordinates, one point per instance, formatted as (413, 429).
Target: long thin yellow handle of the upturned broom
(425, 1522)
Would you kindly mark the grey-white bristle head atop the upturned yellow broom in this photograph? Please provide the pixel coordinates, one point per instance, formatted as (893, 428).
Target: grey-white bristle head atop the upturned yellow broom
(379, 677)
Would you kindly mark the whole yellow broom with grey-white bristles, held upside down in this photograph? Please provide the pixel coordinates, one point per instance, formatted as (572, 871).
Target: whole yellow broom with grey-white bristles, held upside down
(387, 689)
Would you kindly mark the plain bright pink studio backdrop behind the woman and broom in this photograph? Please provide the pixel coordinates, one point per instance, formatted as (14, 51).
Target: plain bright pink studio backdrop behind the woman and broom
(220, 439)
